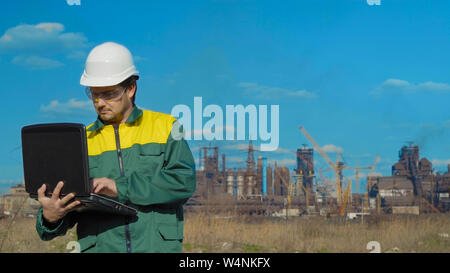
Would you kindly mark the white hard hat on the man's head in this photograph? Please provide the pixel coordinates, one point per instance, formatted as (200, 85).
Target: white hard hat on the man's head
(108, 64)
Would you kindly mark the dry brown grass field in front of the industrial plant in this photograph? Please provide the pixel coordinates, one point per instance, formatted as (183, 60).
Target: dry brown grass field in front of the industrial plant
(424, 233)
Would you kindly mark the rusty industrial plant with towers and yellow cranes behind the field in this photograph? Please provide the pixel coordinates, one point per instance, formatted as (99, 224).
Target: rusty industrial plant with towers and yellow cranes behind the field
(259, 188)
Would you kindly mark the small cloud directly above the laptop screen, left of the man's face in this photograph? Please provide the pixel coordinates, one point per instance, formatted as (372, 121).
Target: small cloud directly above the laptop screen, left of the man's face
(72, 107)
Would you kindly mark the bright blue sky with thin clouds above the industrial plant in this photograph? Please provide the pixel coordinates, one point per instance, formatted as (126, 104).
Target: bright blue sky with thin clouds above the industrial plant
(361, 79)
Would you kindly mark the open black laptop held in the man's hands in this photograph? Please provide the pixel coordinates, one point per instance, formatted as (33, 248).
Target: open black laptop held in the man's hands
(56, 152)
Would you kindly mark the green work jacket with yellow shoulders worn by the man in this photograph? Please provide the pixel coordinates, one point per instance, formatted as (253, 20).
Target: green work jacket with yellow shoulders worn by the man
(154, 173)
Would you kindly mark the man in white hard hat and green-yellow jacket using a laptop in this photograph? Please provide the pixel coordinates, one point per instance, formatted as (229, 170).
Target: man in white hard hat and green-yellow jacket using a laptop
(134, 158)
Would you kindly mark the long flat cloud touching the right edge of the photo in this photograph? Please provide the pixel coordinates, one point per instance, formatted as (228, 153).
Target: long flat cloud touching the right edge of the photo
(405, 87)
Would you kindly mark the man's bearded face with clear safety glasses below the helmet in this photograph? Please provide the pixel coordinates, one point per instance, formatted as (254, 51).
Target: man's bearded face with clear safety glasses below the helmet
(112, 102)
